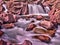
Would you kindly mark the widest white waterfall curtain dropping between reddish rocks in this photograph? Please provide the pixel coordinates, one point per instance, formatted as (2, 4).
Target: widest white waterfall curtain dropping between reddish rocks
(36, 9)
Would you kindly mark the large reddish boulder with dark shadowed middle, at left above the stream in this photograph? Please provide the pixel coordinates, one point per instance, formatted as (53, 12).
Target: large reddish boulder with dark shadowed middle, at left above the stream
(9, 18)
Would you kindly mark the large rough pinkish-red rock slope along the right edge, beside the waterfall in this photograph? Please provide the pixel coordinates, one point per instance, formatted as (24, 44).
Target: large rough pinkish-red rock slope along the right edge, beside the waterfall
(55, 13)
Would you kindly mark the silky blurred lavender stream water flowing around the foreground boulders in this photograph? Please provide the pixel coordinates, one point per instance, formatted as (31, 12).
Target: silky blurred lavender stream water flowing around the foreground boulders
(18, 34)
